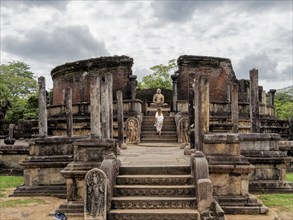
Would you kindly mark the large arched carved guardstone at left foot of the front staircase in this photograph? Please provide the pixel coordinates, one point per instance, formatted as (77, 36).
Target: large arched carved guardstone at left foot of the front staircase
(95, 201)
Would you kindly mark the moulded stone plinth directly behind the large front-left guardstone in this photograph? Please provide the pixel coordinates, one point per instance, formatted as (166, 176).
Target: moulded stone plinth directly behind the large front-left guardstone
(88, 154)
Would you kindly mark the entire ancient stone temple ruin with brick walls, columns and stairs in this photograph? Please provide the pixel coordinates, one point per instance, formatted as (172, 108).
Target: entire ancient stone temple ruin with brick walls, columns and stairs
(223, 125)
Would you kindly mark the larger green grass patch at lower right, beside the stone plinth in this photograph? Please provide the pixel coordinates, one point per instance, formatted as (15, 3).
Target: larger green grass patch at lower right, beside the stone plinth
(282, 201)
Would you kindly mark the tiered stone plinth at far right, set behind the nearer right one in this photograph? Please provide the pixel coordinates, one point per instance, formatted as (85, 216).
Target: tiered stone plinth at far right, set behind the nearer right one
(262, 151)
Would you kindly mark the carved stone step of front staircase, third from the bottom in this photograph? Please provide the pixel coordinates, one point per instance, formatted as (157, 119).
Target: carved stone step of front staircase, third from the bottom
(153, 190)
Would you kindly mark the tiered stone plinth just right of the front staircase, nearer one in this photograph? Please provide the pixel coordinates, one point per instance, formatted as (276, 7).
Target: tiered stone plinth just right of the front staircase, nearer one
(229, 173)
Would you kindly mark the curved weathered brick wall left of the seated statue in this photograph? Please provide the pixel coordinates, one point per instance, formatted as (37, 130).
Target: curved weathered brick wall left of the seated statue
(78, 75)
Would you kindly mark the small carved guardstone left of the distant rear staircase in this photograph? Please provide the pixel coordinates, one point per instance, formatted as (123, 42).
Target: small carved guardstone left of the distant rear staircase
(132, 130)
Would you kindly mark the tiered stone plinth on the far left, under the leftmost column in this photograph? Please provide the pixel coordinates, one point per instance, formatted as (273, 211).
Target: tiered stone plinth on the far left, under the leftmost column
(42, 168)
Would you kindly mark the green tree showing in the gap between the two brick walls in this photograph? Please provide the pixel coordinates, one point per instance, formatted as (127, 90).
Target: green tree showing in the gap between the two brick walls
(160, 78)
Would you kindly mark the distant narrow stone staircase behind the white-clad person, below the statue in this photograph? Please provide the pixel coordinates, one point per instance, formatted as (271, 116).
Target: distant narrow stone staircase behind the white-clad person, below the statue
(150, 135)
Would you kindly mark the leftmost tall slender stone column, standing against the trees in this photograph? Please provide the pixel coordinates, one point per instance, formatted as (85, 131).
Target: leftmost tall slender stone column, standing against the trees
(43, 127)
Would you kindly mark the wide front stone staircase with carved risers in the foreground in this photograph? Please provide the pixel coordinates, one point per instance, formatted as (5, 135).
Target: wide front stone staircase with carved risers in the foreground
(154, 193)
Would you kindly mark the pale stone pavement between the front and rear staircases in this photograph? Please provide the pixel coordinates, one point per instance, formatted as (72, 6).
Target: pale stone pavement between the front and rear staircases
(153, 154)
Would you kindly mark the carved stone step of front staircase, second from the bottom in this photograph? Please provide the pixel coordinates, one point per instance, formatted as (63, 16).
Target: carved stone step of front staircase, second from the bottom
(154, 202)
